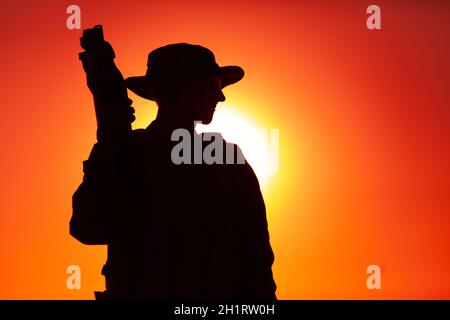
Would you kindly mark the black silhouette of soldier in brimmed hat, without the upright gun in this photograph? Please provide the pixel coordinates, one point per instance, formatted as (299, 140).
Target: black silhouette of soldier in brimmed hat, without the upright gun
(175, 231)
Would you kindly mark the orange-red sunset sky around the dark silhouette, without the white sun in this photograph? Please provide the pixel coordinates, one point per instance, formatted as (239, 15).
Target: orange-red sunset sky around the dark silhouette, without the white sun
(364, 135)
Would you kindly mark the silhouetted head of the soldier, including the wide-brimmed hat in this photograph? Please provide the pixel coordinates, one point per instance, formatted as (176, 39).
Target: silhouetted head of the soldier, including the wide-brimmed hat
(185, 80)
